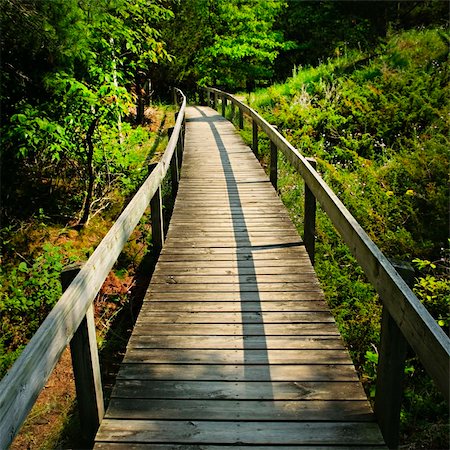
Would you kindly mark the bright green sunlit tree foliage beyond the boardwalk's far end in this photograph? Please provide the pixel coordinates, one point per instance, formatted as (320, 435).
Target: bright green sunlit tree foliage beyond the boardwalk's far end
(230, 43)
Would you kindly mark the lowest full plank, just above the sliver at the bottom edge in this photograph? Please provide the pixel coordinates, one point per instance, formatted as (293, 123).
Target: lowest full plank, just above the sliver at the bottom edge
(257, 433)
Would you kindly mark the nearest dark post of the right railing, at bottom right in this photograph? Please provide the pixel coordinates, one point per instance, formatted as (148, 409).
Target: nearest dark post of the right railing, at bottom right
(390, 370)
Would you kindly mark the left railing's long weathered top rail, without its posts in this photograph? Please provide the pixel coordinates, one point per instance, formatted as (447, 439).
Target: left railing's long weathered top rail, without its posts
(24, 381)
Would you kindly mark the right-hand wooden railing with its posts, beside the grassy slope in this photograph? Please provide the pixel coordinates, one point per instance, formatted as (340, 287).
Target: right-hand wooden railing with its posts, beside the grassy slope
(404, 318)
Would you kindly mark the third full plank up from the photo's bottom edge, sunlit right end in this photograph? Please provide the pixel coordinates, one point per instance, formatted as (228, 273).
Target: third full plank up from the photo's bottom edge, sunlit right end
(241, 390)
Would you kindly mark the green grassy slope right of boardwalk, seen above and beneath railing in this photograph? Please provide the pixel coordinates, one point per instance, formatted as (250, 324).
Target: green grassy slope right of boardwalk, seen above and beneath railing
(378, 127)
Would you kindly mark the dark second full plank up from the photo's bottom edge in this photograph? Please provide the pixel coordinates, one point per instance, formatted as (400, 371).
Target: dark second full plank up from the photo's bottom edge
(240, 410)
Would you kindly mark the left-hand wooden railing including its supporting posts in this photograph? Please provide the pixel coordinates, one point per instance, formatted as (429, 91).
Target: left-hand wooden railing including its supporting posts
(72, 318)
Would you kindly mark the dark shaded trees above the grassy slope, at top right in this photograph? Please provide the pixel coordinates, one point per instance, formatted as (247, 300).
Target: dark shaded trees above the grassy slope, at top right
(334, 28)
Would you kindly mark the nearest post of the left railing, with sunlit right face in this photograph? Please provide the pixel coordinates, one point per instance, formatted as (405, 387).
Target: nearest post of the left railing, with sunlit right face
(86, 368)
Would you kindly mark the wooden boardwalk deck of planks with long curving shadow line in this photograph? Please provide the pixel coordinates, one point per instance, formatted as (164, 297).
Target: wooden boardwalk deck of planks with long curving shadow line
(234, 345)
